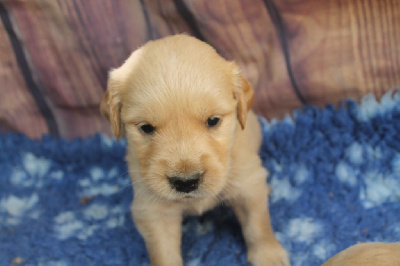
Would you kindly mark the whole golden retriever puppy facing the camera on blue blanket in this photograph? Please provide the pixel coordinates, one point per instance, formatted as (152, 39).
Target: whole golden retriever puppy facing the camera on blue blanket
(192, 143)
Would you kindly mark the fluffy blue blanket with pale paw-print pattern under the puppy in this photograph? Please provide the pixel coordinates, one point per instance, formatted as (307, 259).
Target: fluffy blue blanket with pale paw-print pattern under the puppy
(335, 175)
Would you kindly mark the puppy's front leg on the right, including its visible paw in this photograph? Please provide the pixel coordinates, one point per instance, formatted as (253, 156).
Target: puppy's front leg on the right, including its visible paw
(252, 211)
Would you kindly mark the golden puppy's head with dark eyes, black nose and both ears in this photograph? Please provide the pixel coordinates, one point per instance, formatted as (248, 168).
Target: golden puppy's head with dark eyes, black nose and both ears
(179, 104)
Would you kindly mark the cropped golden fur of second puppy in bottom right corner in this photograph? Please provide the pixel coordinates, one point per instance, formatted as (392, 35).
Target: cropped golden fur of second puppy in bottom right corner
(368, 254)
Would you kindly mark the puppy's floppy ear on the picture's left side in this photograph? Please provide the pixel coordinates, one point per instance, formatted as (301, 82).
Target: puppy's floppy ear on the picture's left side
(110, 106)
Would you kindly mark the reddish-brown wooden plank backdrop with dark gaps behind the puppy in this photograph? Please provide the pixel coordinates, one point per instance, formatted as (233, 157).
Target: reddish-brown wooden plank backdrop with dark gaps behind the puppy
(55, 55)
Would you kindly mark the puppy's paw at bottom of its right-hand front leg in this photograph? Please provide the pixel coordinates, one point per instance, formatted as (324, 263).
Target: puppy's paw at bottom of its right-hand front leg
(268, 255)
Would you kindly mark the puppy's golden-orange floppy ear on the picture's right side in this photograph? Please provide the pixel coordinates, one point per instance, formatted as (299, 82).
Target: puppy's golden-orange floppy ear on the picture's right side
(244, 94)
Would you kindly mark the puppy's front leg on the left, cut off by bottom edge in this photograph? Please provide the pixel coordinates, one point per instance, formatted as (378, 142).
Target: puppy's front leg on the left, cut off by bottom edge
(160, 226)
